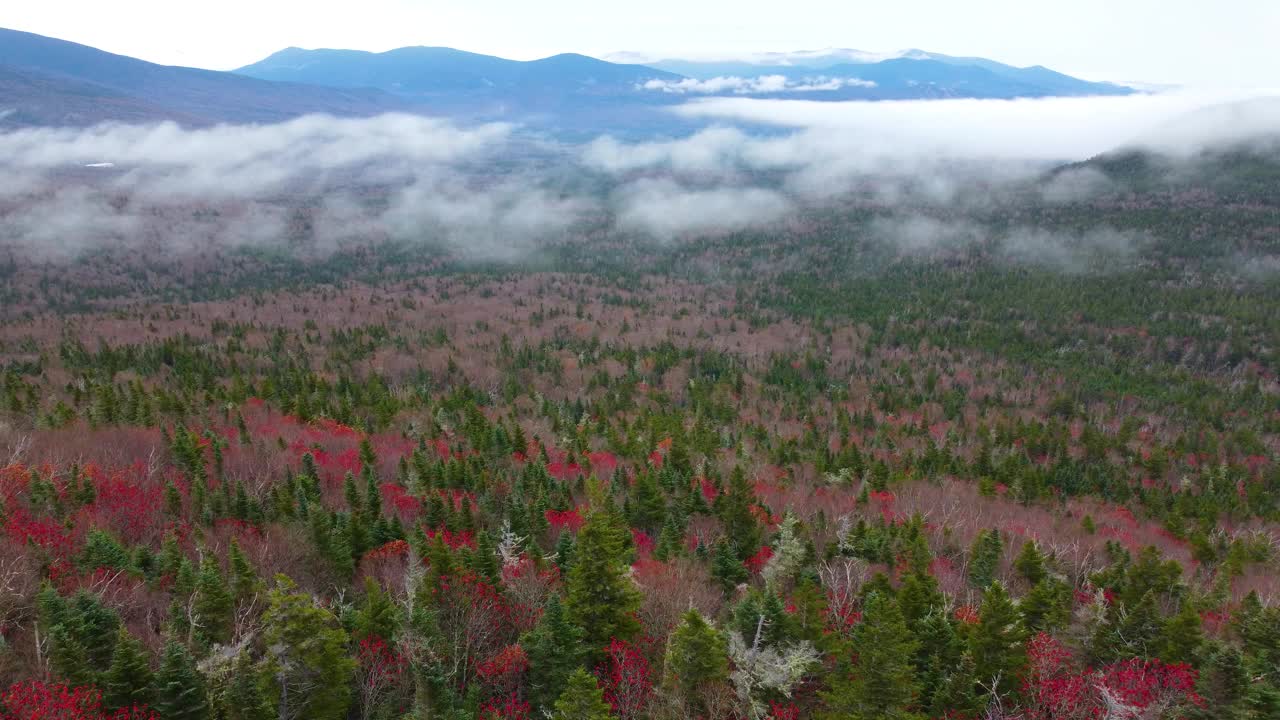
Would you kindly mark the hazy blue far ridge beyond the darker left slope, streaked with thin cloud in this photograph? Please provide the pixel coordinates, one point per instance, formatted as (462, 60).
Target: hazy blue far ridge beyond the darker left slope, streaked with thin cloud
(444, 75)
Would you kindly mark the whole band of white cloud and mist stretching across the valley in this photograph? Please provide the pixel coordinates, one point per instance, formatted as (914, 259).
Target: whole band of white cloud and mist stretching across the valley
(492, 193)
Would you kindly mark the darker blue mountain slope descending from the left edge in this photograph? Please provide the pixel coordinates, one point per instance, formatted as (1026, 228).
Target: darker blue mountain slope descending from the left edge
(48, 81)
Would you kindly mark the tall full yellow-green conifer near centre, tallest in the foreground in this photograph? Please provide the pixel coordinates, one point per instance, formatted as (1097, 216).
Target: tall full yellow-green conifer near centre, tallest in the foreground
(601, 599)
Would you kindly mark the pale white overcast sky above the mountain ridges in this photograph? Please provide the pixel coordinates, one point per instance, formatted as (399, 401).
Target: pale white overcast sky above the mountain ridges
(1224, 43)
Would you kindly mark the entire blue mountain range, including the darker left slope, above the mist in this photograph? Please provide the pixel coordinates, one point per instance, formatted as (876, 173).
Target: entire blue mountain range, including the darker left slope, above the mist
(53, 83)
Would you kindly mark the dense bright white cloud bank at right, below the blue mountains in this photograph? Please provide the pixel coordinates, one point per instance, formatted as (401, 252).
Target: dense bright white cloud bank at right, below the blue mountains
(1048, 130)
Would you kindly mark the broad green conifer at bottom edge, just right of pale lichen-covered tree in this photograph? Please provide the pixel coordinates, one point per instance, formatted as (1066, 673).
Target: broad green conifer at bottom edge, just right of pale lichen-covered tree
(880, 681)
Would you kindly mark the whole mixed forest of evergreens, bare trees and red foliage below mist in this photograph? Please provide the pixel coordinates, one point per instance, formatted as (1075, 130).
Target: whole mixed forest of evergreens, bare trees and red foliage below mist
(797, 472)
